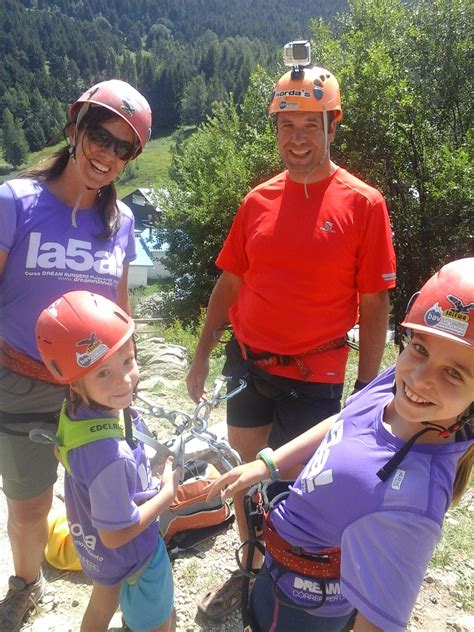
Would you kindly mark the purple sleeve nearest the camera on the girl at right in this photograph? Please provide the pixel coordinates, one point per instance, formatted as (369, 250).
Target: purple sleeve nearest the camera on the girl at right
(384, 557)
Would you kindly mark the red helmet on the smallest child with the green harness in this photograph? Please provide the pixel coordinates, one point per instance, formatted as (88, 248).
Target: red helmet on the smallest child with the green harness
(78, 332)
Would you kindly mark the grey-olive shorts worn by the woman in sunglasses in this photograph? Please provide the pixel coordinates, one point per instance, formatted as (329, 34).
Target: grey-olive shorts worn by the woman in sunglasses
(28, 469)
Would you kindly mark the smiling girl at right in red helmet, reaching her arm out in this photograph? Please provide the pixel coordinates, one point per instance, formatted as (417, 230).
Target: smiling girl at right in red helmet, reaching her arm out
(376, 480)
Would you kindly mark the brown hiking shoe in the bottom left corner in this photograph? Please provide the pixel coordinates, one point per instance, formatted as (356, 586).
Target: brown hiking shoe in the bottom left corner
(20, 599)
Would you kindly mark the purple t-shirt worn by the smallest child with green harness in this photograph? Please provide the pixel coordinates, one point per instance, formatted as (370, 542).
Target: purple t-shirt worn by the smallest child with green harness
(109, 480)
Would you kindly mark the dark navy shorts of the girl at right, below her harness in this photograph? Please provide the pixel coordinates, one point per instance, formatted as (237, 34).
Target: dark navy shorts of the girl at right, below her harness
(269, 613)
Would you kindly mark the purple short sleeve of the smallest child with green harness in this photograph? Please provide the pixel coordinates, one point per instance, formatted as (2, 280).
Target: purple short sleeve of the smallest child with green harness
(112, 512)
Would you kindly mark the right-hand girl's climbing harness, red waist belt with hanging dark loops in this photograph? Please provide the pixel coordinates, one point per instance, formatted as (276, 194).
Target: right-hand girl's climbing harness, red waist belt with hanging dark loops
(320, 567)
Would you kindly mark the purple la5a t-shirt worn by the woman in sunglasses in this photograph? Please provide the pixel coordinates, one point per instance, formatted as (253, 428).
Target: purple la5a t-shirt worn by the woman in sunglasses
(47, 256)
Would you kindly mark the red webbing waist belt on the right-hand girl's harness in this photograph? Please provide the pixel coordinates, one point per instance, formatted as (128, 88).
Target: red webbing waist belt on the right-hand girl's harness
(323, 565)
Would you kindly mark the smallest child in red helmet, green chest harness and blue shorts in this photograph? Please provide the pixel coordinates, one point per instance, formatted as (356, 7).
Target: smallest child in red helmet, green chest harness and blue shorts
(112, 499)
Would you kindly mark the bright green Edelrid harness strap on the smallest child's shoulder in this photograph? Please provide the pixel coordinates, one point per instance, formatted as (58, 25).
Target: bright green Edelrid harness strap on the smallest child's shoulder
(73, 434)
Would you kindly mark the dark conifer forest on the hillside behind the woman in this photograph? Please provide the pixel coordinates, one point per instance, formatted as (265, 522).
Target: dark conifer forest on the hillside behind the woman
(182, 54)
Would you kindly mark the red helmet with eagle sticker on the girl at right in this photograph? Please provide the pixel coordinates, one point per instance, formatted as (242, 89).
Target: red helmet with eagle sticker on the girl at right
(445, 304)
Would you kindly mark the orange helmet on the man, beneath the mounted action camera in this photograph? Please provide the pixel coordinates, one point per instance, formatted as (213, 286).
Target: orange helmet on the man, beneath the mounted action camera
(307, 90)
